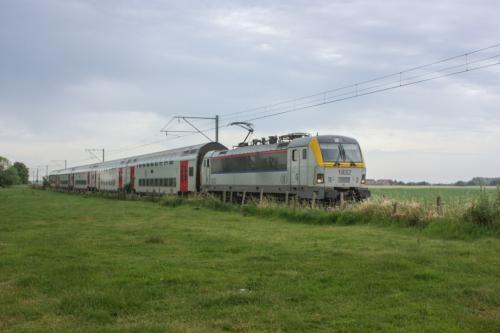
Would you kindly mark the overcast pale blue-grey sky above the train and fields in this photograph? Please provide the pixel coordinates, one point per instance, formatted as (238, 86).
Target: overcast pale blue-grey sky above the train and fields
(92, 74)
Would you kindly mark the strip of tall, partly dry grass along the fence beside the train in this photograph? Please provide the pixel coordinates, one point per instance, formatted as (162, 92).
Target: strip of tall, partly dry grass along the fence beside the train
(482, 212)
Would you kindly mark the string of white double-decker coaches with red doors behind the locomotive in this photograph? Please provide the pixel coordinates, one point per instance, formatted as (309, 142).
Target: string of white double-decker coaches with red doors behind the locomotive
(170, 171)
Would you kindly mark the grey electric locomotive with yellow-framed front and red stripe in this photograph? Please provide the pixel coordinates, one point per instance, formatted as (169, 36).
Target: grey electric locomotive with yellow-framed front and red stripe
(325, 167)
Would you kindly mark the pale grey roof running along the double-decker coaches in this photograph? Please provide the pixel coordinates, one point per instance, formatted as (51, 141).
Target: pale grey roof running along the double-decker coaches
(170, 155)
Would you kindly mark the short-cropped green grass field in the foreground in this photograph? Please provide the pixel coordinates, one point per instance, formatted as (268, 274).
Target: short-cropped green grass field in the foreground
(74, 264)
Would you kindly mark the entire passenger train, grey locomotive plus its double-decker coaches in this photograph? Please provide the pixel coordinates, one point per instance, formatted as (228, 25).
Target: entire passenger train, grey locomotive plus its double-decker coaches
(327, 168)
